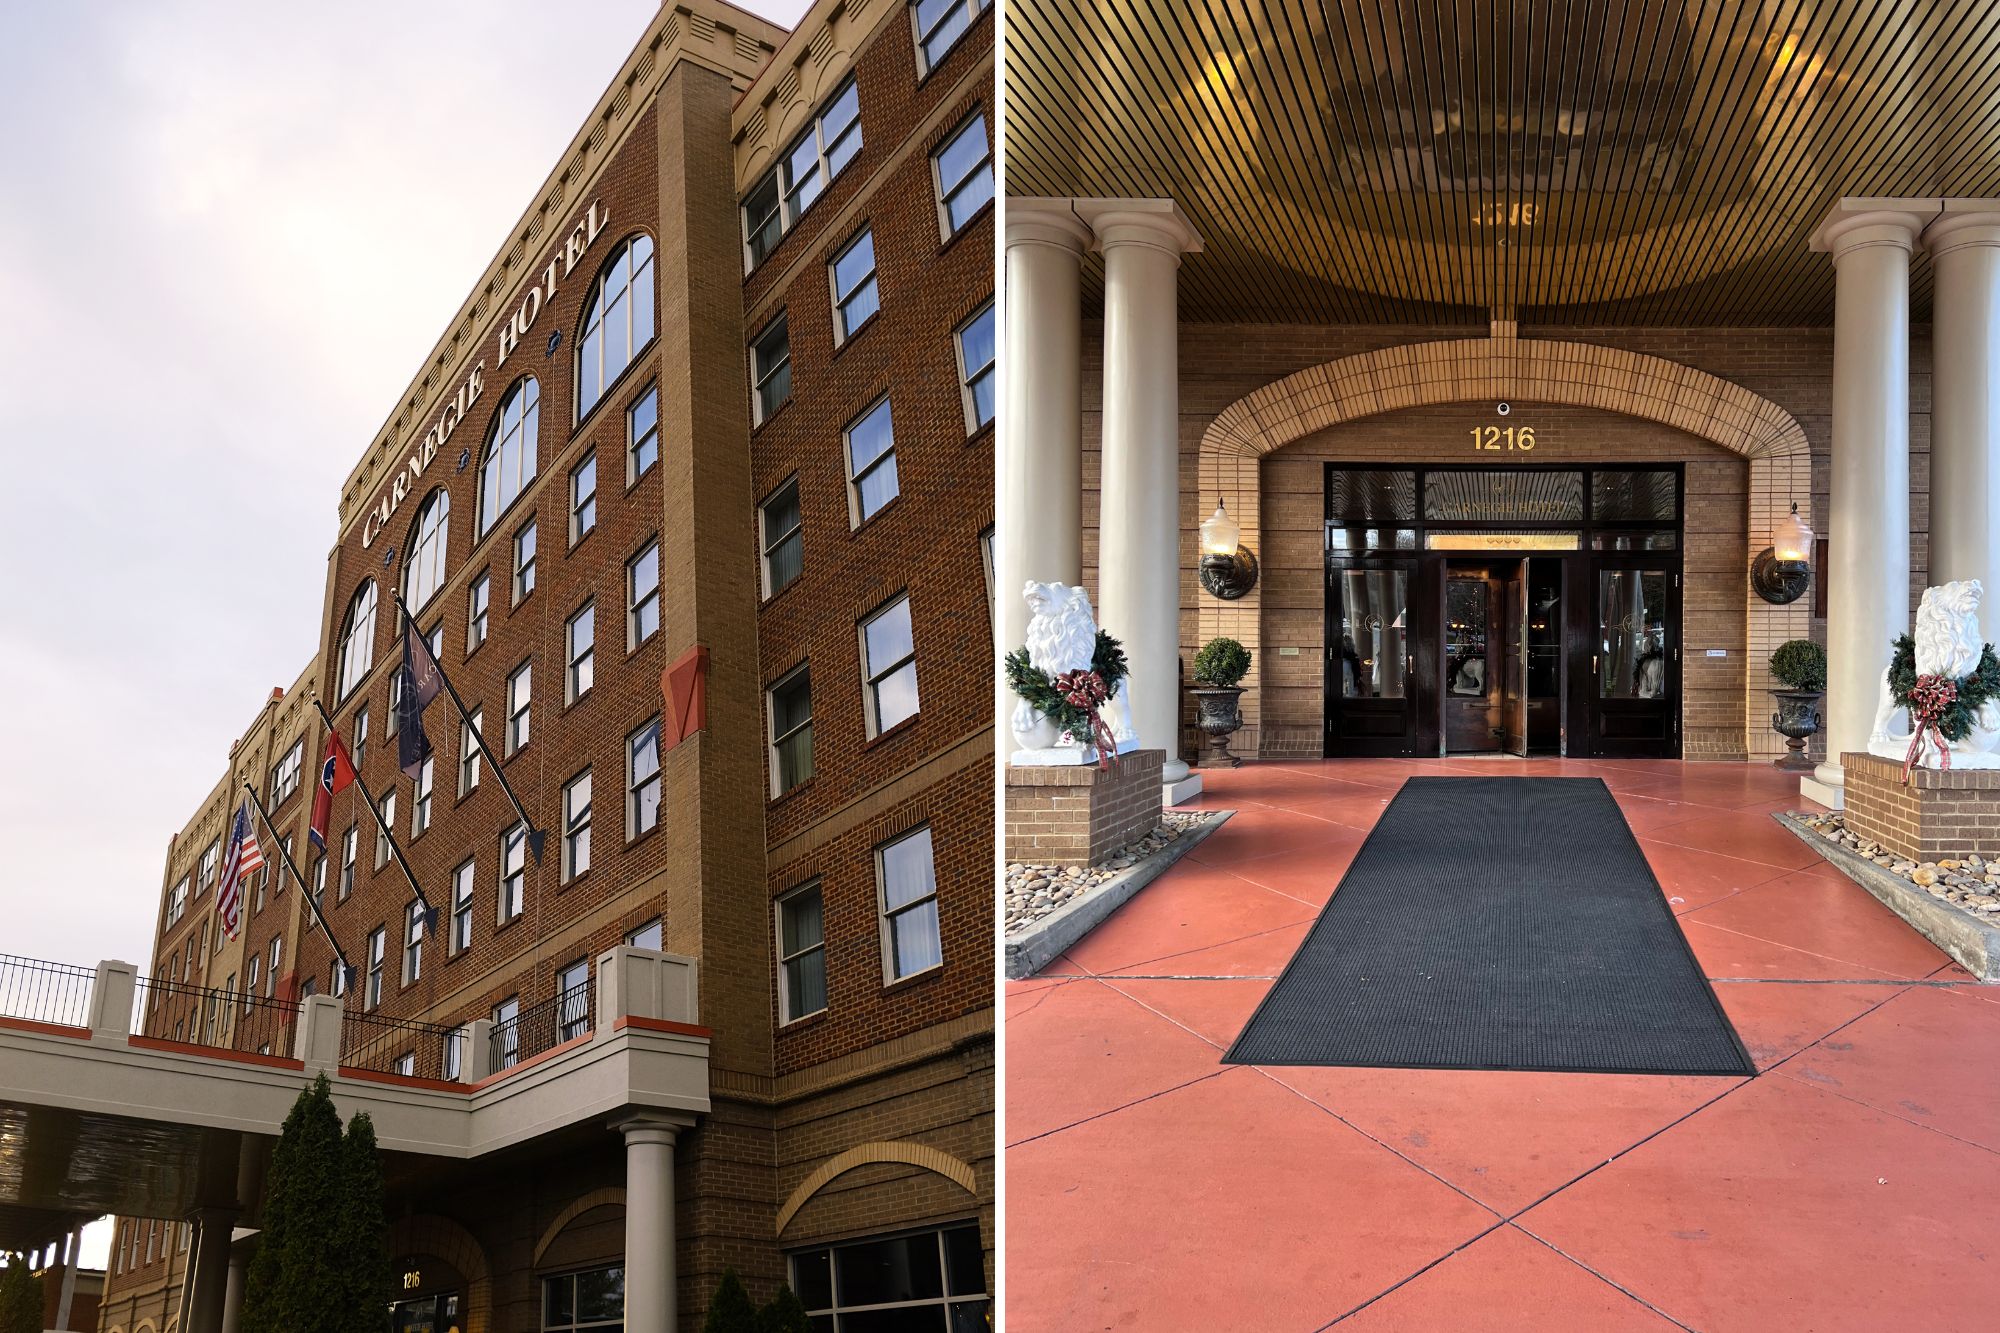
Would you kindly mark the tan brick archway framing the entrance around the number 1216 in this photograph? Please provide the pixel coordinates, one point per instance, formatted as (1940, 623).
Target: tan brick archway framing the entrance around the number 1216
(1519, 371)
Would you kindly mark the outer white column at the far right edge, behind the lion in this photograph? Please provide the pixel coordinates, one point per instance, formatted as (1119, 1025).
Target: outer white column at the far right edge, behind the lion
(1965, 395)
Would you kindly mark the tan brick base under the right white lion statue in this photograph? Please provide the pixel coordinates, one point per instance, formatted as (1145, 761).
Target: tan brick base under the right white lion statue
(1941, 814)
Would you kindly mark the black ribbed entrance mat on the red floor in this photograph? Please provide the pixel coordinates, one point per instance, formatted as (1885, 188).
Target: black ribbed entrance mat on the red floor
(1497, 924)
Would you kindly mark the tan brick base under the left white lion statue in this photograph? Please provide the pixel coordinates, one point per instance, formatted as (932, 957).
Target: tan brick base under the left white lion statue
(1081, 814)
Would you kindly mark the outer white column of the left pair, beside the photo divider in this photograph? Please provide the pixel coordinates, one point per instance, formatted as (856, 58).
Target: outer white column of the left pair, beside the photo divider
(1039, 473)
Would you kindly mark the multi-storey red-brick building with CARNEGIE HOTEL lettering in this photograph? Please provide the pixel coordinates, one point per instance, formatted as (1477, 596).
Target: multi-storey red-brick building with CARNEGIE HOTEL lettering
(693, 503)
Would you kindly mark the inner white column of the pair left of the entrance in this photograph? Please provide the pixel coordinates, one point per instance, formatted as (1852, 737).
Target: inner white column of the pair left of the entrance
(1139, 499)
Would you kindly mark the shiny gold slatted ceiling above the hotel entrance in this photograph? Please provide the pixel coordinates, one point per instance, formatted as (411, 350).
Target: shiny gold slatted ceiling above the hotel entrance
(1559, 161)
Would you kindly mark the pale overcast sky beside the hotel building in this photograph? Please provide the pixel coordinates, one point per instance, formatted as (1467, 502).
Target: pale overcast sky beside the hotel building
(229, 235)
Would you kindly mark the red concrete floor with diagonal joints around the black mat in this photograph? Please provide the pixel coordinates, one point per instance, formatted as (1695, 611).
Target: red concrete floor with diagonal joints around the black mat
(1855, 1184)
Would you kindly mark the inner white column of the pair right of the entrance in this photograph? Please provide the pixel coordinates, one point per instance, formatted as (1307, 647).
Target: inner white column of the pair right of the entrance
(1869, 521)
